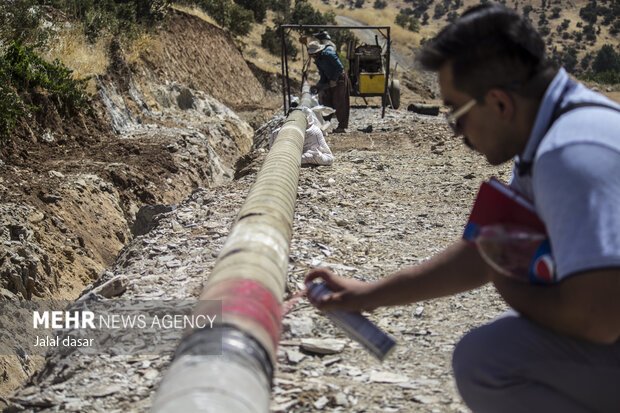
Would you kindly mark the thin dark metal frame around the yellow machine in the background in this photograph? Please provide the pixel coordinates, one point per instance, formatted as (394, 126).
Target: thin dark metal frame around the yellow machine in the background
(287, 28)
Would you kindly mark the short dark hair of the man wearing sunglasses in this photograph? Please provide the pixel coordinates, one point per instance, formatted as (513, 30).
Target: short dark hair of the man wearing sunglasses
(490, 46)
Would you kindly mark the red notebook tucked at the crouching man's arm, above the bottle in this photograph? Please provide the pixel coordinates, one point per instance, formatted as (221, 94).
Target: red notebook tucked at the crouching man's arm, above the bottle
(497, 203)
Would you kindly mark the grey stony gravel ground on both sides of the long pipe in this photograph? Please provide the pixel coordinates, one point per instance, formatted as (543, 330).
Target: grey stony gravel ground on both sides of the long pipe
(393, 197)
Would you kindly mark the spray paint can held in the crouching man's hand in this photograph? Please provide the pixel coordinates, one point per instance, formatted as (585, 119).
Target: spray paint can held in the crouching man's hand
(355, 325)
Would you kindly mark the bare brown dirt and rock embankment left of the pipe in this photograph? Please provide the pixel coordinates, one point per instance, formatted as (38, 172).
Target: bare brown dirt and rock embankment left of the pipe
(160, 127)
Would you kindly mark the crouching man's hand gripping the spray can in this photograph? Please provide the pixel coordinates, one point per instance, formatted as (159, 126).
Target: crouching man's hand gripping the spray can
(348, 294)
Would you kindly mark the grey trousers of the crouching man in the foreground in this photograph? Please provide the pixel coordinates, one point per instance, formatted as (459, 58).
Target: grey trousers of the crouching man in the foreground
(513, 365)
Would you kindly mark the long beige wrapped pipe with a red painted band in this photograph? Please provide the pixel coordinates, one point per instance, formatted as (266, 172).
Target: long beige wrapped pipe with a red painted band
(249, 279)
